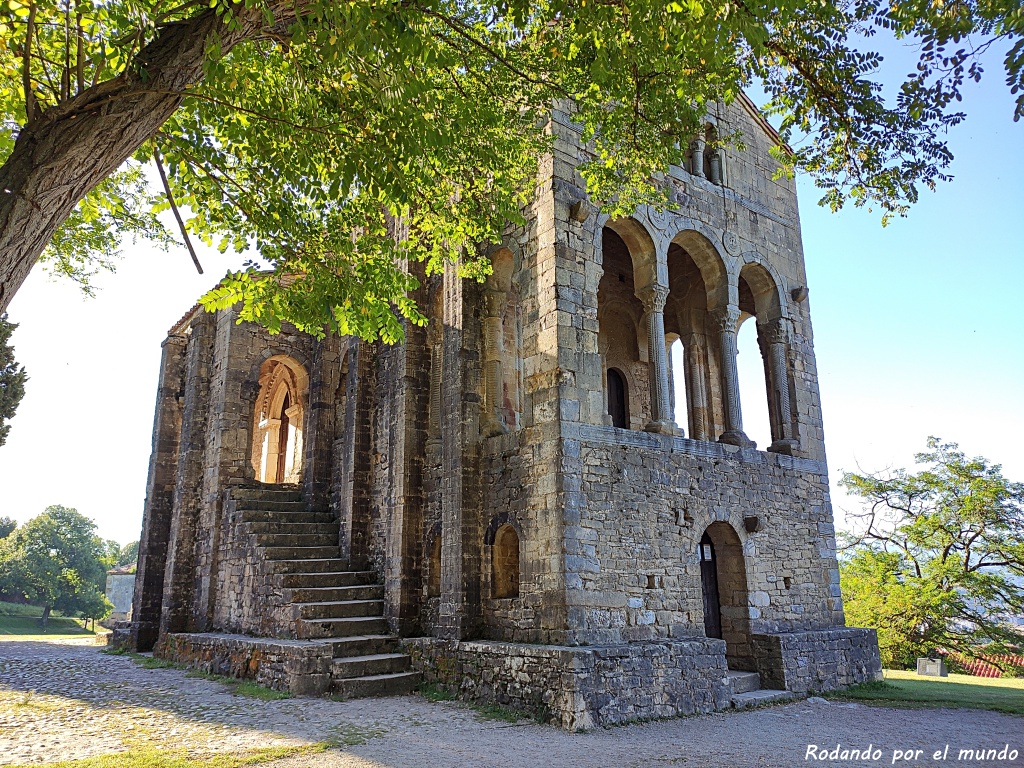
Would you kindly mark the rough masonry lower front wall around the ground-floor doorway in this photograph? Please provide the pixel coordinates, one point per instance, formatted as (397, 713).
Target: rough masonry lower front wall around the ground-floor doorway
(646, 502)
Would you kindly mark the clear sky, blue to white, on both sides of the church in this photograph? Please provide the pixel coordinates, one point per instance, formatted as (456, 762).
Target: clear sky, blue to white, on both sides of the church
(919, 331)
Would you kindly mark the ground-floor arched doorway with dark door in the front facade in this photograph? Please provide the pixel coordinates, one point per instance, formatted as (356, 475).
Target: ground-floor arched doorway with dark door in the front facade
(723, 582)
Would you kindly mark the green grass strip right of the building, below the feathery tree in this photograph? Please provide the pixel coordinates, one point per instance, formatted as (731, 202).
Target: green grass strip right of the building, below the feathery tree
(908, 690)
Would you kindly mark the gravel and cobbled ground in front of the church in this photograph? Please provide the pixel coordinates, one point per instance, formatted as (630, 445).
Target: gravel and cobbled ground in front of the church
(67, 700)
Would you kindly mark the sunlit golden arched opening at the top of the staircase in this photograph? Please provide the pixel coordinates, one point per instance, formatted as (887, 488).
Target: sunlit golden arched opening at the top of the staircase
(278, 421)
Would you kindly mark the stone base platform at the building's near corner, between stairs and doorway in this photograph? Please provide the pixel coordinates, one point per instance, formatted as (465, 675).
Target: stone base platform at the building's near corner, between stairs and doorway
(581, 689)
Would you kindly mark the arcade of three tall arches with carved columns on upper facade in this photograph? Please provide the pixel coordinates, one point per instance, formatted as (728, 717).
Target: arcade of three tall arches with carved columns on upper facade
(641, 320)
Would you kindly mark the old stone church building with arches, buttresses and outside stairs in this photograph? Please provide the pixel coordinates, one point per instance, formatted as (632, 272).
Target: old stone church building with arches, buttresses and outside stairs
(505, 503)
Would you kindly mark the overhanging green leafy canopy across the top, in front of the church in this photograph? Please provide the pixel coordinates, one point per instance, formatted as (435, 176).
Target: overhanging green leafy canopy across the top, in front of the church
(356, 138)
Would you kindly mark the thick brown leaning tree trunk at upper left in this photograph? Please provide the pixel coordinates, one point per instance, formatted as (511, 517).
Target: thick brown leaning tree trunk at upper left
(65, 153)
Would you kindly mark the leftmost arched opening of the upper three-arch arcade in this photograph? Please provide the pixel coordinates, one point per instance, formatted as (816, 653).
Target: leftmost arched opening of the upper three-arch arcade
(628, 263)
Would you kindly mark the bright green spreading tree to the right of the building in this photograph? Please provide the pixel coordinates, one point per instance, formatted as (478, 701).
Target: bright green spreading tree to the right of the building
(936, 559)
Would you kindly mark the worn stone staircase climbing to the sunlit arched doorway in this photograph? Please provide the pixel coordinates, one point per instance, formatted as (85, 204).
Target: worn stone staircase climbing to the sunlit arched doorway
(330, 604)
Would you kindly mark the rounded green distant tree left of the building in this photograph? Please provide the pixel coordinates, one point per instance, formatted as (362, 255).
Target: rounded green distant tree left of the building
(56, 562)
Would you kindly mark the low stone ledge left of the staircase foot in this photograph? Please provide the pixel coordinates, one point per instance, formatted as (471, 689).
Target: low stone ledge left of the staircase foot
(301, 667)
